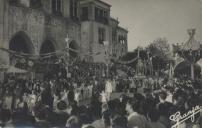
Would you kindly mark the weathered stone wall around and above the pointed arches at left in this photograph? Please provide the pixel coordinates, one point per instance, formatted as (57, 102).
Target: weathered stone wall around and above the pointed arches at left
(38, 26)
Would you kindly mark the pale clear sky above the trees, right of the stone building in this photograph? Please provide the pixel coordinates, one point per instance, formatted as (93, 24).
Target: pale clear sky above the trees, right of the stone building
(147, 20)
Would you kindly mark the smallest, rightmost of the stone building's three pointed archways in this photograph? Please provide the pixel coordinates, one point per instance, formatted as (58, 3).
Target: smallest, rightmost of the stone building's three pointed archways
(74, 52)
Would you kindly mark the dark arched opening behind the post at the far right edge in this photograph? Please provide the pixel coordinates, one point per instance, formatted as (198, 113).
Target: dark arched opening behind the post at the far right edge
(183, 69)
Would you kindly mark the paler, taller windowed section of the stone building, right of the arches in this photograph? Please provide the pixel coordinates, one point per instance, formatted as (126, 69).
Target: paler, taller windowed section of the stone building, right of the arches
(97, 26)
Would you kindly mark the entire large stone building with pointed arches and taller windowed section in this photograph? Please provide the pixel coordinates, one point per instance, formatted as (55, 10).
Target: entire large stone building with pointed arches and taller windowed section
(37, 27)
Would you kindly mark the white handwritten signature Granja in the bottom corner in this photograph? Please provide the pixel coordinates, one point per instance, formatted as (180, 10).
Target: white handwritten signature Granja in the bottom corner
(179, 119)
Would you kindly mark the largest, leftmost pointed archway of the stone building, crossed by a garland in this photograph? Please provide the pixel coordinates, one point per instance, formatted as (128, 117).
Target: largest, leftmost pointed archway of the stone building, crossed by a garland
(20, 43)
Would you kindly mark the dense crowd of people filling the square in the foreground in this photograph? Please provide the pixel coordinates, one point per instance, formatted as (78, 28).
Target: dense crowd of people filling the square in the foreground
(87, 103)
